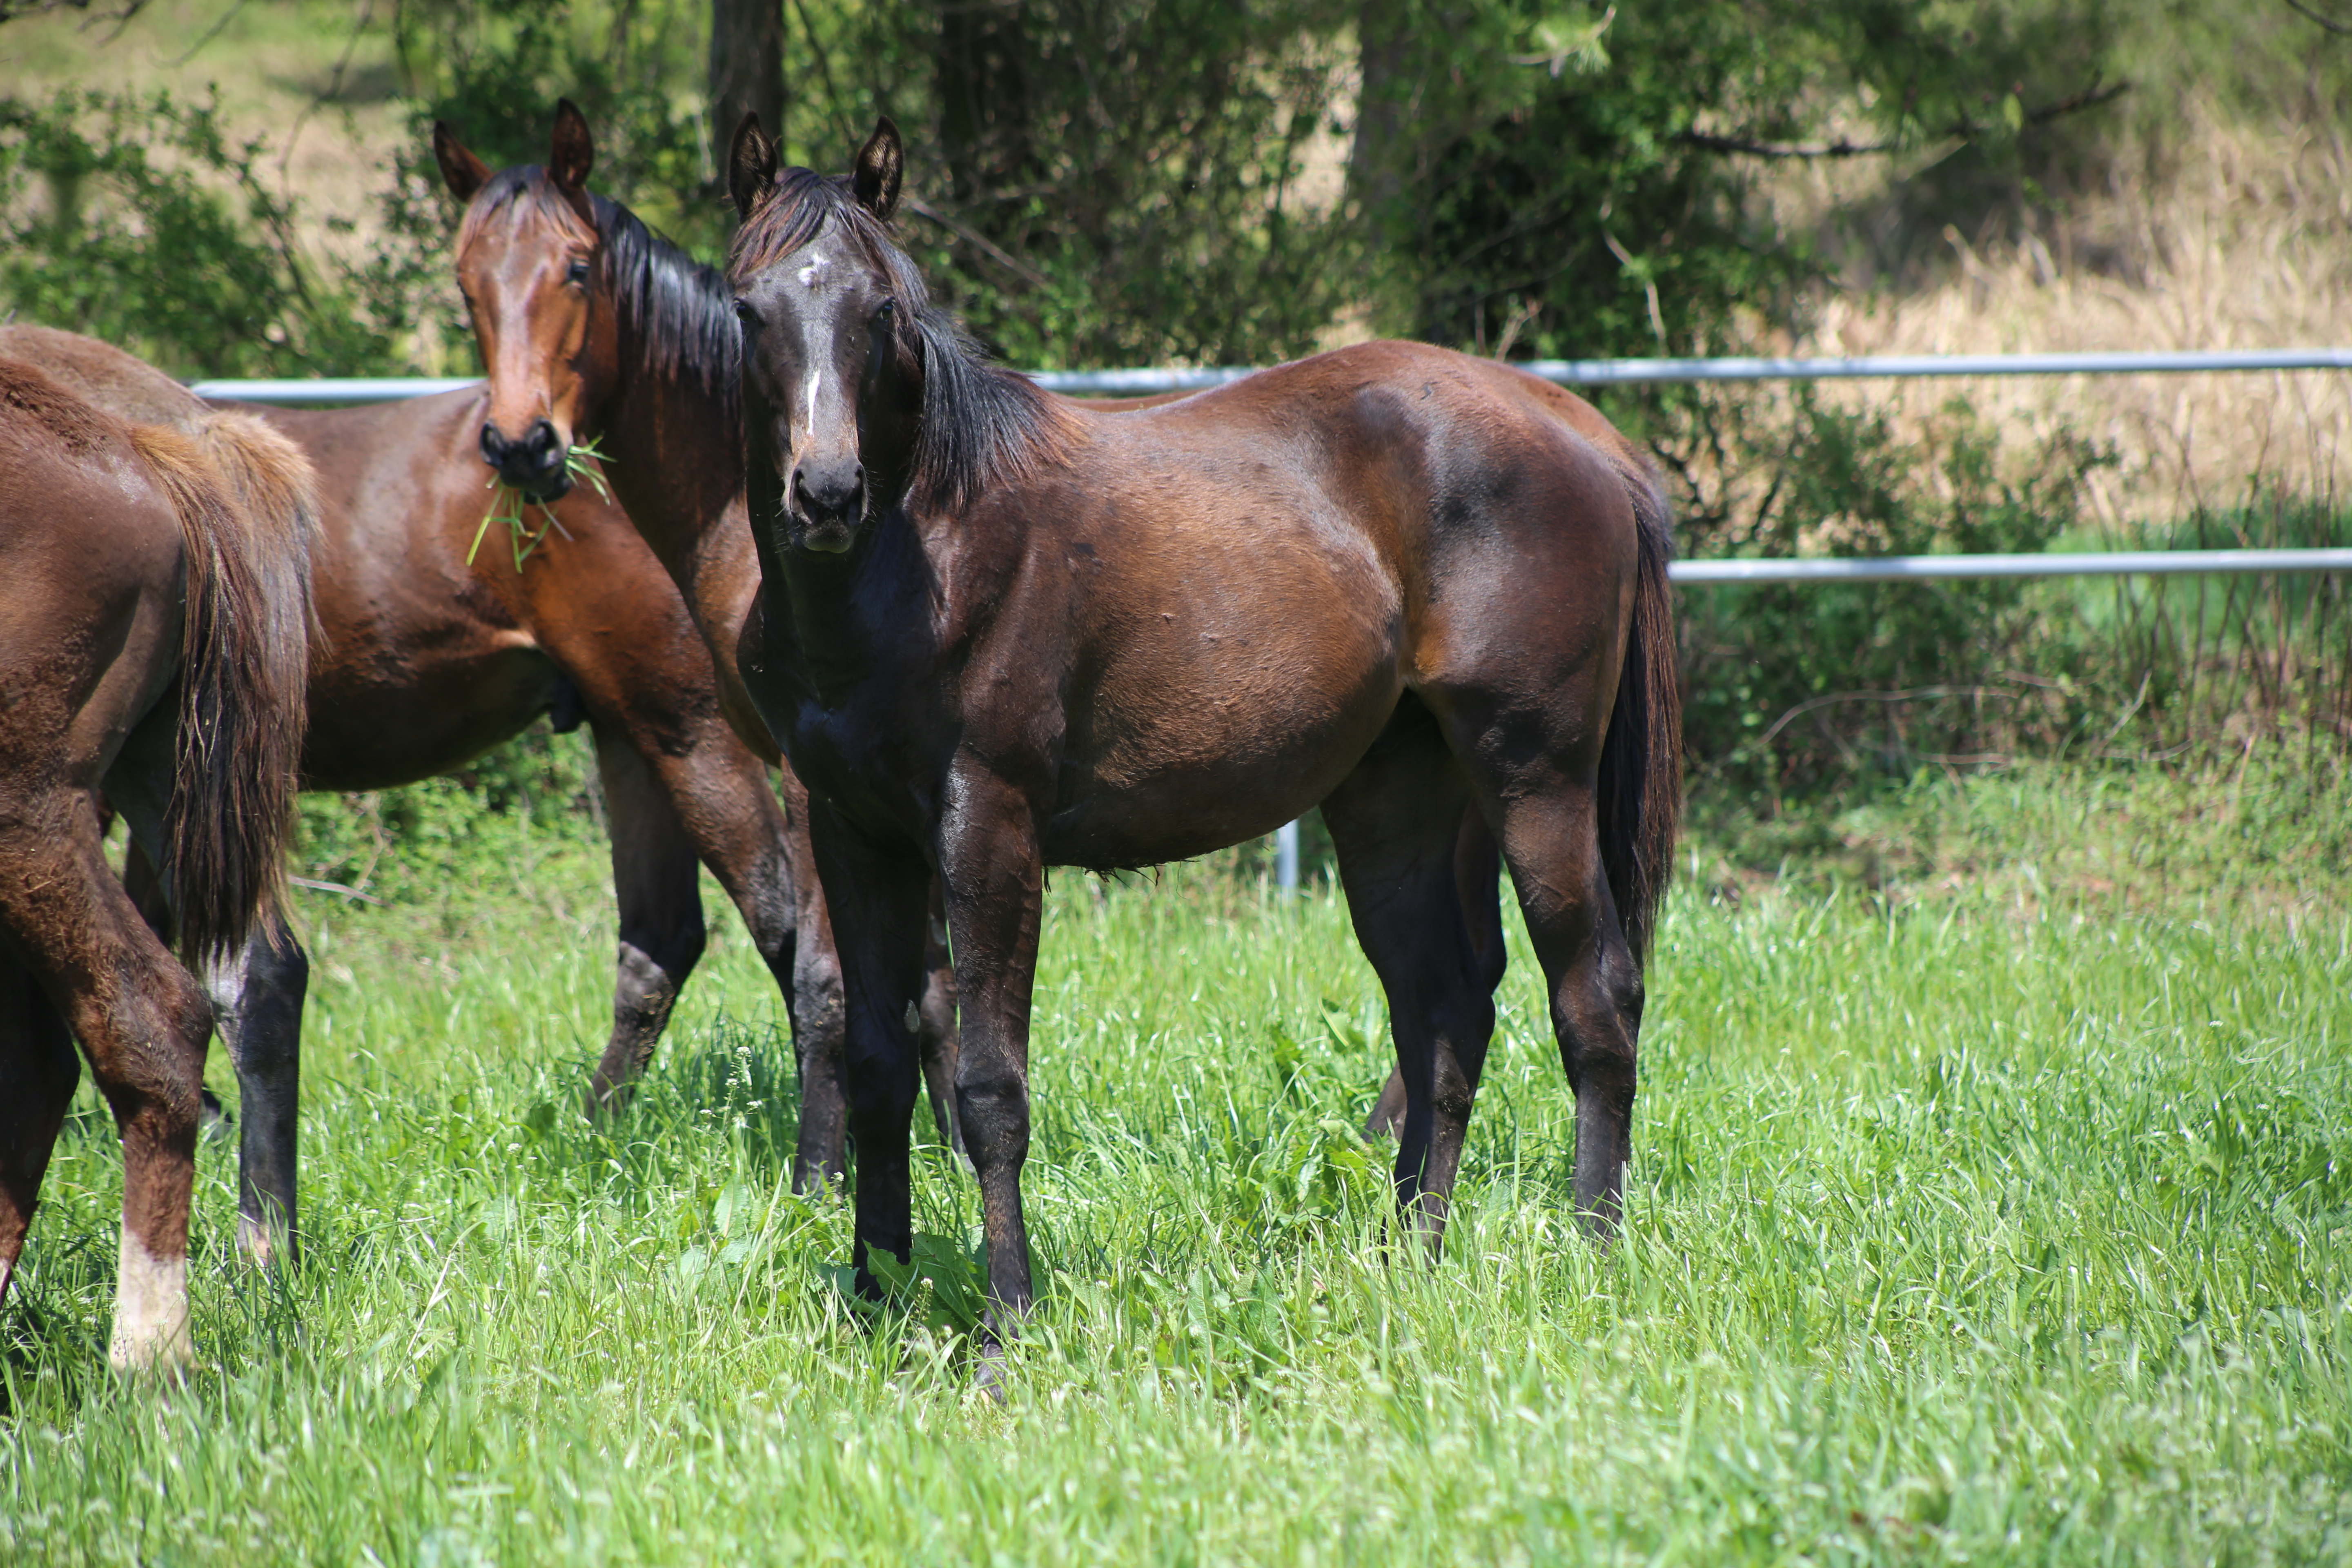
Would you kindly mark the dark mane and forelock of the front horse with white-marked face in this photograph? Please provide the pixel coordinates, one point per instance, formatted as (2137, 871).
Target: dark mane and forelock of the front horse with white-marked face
(982, 424)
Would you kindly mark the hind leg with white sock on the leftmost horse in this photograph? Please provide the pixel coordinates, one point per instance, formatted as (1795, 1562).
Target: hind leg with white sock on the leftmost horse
(145, 1024)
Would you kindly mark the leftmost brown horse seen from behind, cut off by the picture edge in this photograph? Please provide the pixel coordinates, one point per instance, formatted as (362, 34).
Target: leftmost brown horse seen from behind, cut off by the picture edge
(152, 650)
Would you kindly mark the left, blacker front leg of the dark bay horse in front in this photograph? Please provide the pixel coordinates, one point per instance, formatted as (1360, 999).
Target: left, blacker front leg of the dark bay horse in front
(878, 897)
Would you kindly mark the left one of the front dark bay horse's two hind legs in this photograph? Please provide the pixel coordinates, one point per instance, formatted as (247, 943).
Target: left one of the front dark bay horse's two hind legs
(1396, 826)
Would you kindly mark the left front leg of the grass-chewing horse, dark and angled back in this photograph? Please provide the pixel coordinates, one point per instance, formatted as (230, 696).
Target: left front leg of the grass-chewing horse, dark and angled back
(662, 916)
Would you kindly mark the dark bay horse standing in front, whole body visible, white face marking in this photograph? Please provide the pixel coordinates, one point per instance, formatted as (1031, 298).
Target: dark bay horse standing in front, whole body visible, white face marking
(1001, 634)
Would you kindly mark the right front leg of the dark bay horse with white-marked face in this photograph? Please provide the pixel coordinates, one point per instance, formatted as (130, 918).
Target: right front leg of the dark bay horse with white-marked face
(994, 873)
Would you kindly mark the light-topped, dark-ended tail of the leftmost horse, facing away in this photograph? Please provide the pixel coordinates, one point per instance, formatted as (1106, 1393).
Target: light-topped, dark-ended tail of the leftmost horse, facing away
(248, 516)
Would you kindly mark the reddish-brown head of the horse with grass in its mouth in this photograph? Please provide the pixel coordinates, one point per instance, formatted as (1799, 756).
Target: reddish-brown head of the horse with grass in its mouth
(530, 267)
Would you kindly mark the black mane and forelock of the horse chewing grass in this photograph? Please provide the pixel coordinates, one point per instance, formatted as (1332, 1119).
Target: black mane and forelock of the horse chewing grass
(676, 314)
